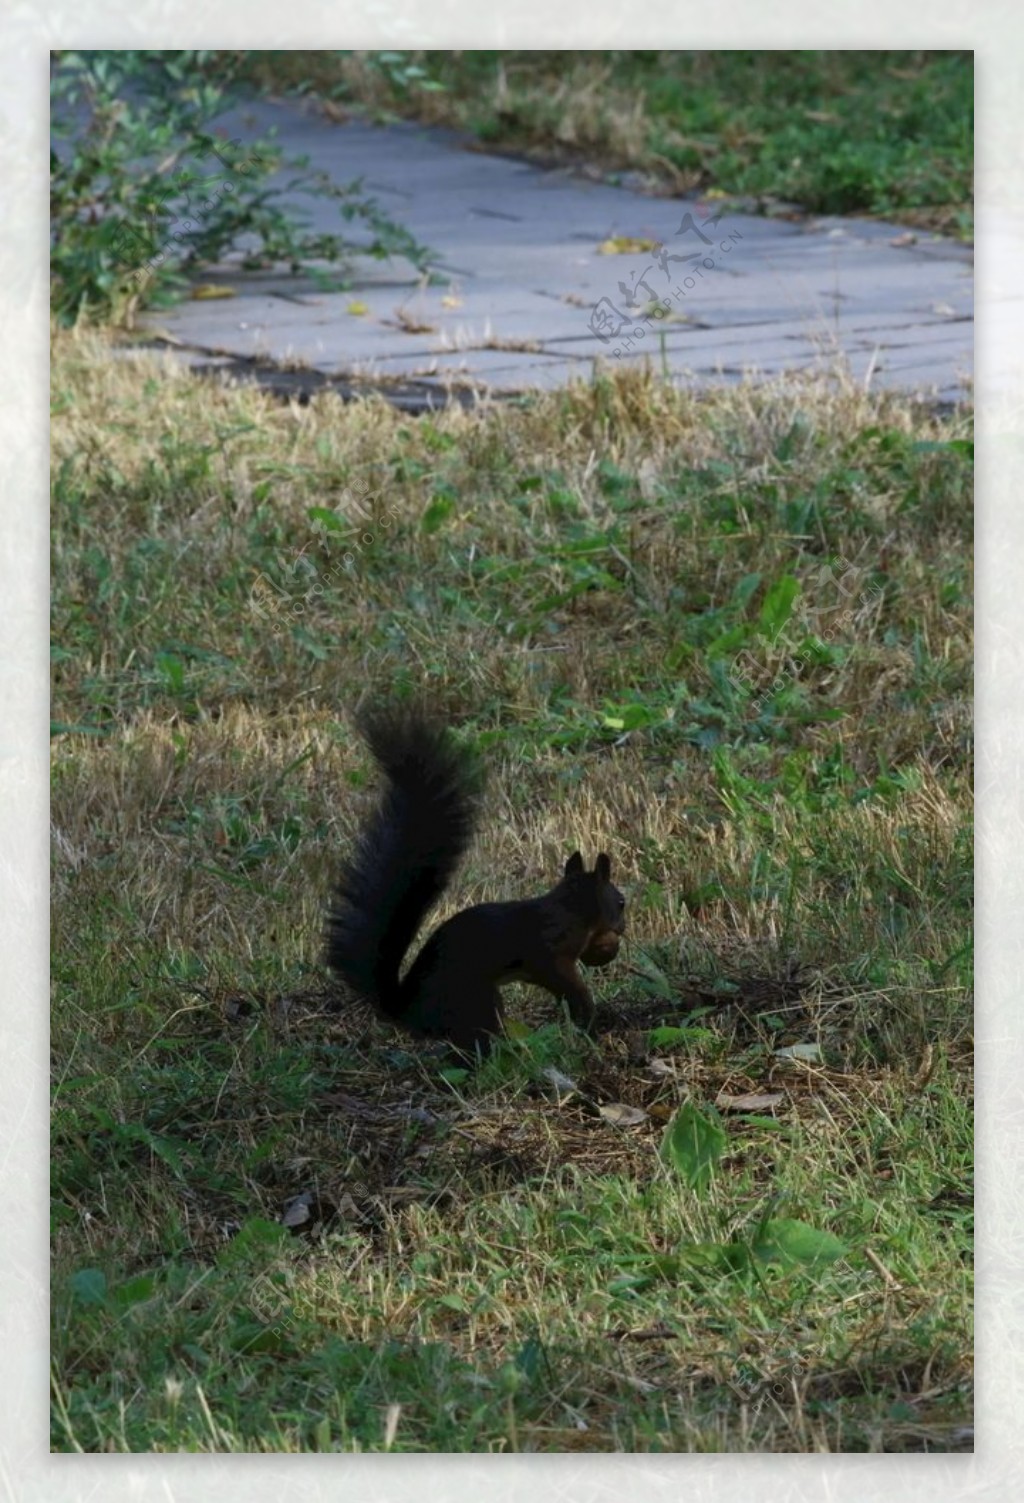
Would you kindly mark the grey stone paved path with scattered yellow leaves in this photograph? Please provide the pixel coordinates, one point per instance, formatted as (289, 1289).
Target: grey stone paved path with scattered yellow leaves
(545, 273)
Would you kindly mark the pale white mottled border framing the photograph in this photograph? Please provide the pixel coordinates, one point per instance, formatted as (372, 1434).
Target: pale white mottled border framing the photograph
(28, 1471)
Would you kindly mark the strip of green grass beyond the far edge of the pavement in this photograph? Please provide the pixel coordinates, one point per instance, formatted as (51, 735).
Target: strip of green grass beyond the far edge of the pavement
(882, 133)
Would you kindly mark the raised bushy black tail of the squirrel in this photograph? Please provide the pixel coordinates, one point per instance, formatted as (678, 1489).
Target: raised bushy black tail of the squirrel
(405, 854)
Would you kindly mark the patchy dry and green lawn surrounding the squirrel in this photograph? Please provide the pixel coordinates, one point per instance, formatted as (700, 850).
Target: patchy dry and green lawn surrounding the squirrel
(727, 640)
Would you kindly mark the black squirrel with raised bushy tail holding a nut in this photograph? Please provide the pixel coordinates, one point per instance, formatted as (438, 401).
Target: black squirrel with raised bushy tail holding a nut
(402, 863)
